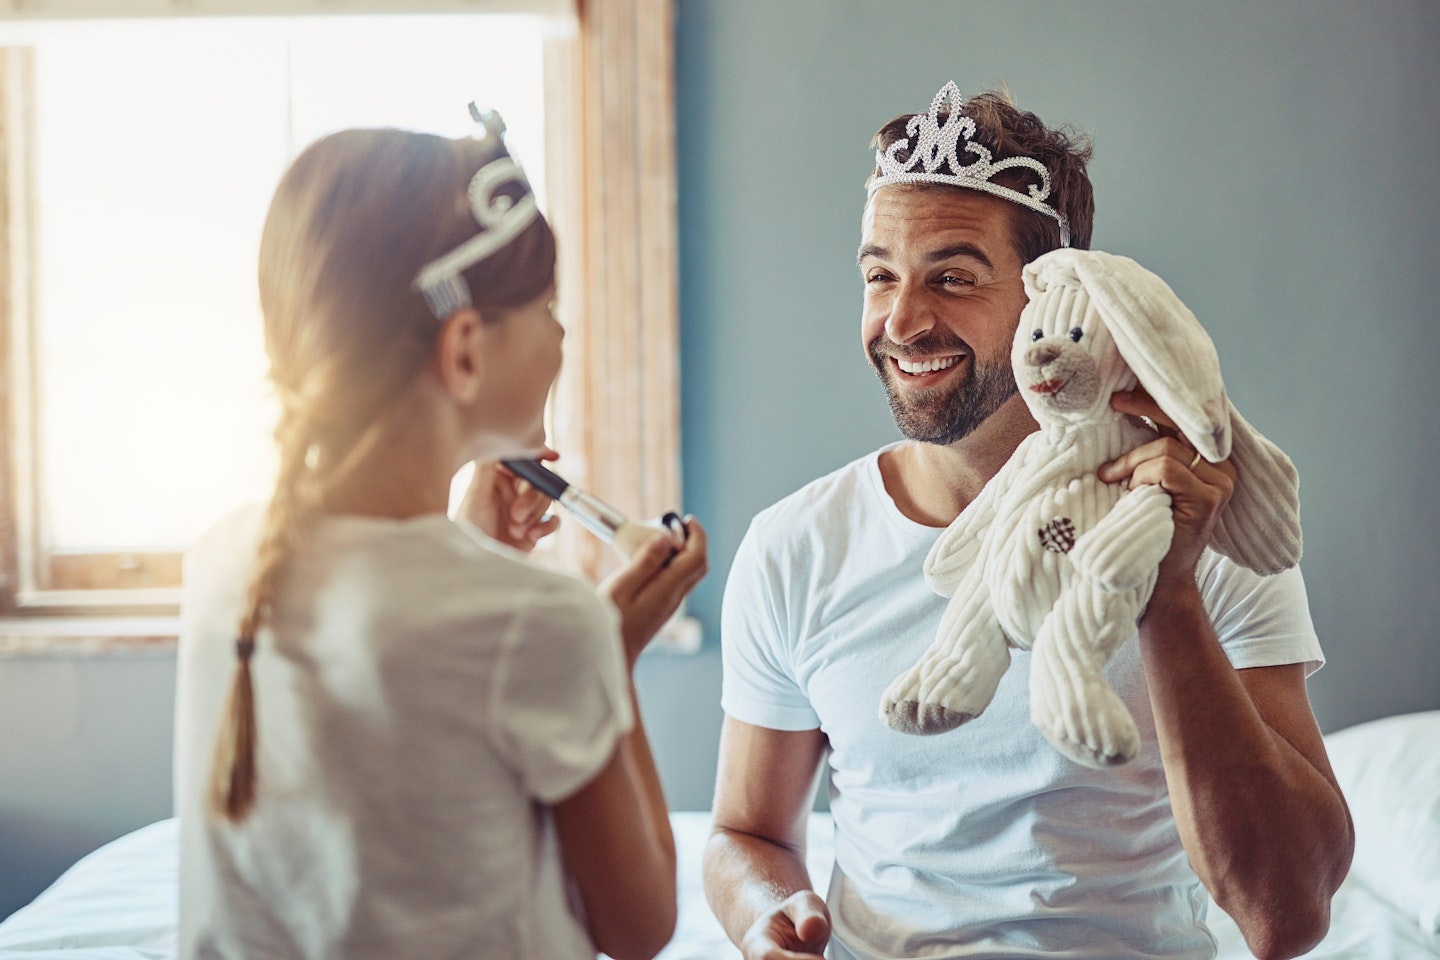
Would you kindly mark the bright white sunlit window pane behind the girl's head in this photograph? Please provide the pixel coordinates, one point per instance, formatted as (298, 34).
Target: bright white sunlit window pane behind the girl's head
(156, 149)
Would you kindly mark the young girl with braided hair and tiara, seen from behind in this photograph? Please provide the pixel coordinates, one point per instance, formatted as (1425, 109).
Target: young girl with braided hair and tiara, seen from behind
(397, 738)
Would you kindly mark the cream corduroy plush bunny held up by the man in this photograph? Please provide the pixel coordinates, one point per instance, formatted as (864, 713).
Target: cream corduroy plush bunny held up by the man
(1052, 559)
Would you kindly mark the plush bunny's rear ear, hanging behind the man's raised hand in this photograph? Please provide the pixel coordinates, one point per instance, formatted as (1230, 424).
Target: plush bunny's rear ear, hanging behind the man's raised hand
(1261, 526)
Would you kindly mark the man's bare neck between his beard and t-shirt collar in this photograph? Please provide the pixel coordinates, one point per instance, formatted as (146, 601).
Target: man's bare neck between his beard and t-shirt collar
(932, 484)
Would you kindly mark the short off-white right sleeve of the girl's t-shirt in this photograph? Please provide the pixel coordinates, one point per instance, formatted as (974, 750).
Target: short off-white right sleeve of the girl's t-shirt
(561, 699)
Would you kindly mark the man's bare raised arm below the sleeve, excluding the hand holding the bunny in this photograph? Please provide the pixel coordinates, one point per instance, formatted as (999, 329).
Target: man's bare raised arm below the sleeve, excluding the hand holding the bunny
(1258, 805)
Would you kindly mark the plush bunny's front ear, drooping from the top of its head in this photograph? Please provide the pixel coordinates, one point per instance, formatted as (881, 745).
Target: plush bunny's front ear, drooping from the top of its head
(1166, 346)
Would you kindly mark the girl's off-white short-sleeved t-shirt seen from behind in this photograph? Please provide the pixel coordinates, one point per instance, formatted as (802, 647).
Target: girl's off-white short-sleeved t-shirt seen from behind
(423, 694)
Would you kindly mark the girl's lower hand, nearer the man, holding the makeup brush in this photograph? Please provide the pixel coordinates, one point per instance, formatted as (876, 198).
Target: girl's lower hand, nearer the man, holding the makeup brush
(649, 589)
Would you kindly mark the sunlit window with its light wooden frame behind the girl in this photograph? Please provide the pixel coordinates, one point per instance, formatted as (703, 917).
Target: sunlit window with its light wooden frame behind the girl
(140, 159)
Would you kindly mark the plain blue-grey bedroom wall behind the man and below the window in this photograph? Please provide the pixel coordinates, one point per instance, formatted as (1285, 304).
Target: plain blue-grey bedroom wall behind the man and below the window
(1274, 162)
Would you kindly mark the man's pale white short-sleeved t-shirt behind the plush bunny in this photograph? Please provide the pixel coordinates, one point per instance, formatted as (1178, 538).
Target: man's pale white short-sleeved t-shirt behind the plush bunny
(981, 843)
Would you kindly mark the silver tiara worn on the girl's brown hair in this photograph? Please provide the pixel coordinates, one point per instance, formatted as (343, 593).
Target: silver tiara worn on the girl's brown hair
(500, 218)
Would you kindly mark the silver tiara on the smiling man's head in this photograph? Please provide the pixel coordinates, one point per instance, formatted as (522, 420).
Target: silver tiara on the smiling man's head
(934, 158)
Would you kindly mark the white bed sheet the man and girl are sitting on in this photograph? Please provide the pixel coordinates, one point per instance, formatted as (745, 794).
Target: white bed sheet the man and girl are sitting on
(120, 905)
